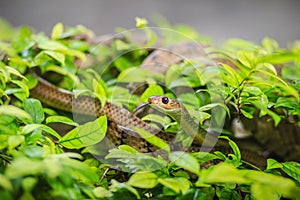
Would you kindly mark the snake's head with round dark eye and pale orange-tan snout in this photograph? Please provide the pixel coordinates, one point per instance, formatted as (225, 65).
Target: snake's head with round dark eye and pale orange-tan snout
(165, 104)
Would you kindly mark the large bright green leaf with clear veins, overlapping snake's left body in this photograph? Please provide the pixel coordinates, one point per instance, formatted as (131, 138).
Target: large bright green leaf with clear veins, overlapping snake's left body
(85, 135)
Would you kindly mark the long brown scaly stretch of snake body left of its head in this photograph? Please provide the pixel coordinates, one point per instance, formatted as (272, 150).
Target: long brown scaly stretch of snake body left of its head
(65, 100)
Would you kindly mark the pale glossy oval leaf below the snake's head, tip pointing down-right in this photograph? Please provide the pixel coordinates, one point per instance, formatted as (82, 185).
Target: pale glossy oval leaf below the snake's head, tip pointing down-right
(186, 161)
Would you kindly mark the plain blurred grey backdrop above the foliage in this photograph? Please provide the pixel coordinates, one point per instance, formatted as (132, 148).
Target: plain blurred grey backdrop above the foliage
(220, 19)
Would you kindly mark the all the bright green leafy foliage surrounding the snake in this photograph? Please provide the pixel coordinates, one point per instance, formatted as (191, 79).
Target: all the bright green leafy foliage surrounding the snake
(39, 162)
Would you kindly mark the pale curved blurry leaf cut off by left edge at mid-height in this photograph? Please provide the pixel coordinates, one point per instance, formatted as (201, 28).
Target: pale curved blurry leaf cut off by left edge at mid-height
(16, 112)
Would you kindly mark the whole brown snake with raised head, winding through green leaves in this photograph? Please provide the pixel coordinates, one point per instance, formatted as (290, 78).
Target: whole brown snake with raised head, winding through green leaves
(161, 59)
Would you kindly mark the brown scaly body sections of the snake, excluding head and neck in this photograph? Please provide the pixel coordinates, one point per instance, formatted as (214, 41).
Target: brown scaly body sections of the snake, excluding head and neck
(159, 61)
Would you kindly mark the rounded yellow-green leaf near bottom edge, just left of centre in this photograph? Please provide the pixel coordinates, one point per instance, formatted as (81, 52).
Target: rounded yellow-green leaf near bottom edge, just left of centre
(143, 179)
